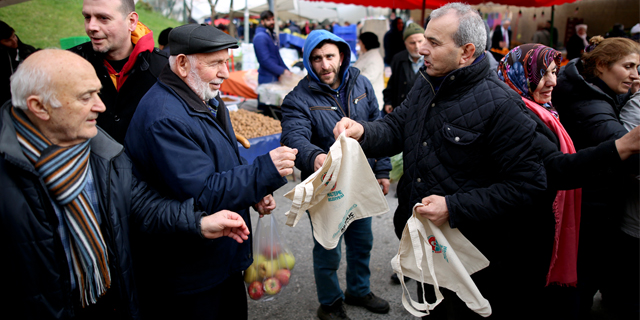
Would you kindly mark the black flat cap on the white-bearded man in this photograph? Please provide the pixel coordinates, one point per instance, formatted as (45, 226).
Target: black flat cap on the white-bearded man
(199, 38)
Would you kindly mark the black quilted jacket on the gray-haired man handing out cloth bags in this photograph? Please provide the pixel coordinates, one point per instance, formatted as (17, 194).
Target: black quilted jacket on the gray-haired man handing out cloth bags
(470, 142)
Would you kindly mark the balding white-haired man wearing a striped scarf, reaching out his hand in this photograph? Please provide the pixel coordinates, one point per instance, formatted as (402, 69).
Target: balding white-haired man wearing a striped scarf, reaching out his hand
(69, 199)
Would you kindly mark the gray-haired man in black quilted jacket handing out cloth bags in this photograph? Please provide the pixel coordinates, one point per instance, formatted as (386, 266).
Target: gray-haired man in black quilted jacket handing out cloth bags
(469, 159)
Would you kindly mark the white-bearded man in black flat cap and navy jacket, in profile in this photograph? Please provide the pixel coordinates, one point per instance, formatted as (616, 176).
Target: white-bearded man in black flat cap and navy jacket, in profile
(182, 117)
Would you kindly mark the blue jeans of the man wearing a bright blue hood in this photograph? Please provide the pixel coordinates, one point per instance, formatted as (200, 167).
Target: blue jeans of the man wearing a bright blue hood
(359, 241)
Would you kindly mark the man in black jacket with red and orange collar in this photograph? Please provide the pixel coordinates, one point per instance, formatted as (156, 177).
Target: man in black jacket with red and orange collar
(122, 53)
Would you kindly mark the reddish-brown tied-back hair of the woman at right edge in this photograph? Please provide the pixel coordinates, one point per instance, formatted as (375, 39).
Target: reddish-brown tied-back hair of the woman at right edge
(606, 52)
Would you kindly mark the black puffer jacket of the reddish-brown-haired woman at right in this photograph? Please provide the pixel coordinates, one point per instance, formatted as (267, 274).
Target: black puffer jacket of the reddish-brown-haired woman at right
(589, 111)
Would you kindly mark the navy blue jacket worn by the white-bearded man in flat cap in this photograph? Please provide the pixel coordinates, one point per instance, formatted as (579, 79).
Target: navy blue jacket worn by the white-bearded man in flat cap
(172, 125)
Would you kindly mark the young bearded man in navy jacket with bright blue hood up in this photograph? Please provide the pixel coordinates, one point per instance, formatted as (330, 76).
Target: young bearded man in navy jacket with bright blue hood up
(331, 91)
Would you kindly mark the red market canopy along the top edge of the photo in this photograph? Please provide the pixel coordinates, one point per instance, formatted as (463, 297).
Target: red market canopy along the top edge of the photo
(433, 4)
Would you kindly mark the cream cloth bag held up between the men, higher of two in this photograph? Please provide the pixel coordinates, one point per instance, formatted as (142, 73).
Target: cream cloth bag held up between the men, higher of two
(342, 191)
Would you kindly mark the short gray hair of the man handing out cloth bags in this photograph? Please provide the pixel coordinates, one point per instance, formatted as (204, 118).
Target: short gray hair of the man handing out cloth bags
(471, 28)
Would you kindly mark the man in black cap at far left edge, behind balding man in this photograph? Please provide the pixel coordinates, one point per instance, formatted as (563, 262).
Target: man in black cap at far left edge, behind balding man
(12, 53)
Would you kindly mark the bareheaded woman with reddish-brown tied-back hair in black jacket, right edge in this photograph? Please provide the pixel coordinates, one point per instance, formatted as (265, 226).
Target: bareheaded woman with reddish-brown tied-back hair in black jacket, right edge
(588, 97)
